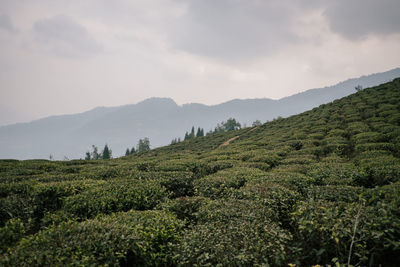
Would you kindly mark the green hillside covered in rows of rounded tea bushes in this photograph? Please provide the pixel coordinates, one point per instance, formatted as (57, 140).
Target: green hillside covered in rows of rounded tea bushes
(322, 187)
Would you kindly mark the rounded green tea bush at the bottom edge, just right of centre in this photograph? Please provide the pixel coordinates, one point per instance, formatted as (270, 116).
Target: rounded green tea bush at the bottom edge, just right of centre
(235, 232)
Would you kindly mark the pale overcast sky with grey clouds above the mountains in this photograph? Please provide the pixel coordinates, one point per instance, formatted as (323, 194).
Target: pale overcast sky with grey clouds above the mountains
(63, 57)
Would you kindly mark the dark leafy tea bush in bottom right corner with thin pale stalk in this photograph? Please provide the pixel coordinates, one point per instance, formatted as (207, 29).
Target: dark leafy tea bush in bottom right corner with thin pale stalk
(326, 230)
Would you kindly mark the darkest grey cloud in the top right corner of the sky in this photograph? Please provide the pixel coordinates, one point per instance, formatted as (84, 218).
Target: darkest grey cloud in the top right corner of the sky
(358, 18)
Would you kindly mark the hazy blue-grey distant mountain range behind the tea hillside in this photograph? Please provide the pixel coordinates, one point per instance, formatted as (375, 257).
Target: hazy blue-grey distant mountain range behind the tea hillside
(159, 119)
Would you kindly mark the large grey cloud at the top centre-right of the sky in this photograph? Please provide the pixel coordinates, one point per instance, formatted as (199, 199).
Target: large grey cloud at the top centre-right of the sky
(234, 30)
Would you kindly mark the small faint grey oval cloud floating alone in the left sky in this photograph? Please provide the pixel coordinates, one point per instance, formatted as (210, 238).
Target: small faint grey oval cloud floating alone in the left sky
(65, 37)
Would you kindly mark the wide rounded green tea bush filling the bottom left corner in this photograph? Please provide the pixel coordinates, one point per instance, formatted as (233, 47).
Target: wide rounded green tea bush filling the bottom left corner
(141, 238)
